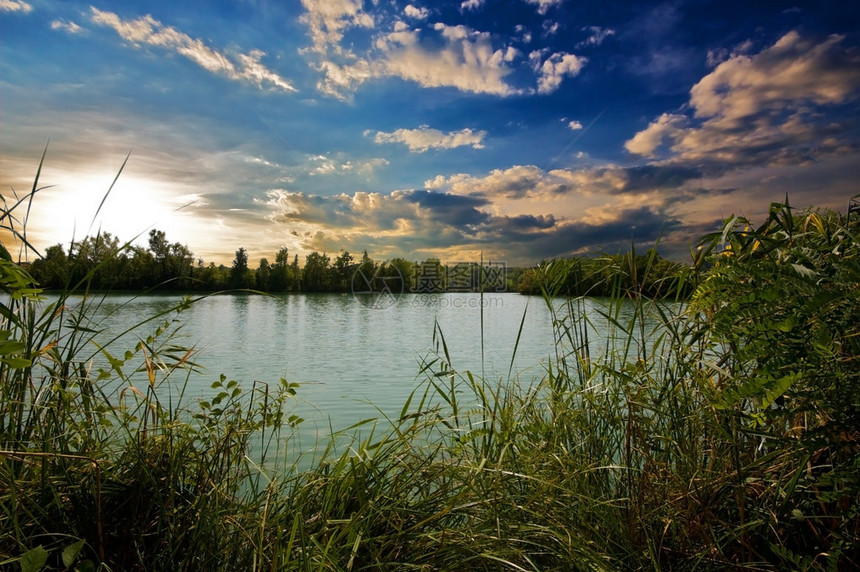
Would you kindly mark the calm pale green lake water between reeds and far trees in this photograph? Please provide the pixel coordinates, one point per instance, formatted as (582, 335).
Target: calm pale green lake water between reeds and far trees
(353, 361)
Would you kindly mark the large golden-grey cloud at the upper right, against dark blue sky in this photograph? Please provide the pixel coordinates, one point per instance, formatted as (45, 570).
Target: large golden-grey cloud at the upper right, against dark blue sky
(762, 109)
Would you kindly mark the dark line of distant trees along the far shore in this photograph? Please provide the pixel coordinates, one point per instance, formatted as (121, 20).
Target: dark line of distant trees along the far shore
(109, 265)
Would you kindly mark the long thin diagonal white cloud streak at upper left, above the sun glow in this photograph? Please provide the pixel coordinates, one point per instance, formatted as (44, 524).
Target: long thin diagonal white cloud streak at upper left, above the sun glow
(148, 31)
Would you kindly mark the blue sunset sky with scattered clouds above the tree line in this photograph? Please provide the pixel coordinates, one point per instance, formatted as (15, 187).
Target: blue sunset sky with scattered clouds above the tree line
(515, 131)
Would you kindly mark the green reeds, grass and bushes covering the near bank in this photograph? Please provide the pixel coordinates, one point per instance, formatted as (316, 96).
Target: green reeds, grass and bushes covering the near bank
(724, 437)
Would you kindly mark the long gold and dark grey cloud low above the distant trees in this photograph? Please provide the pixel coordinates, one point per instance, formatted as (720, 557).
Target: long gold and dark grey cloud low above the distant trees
(419, 223)
